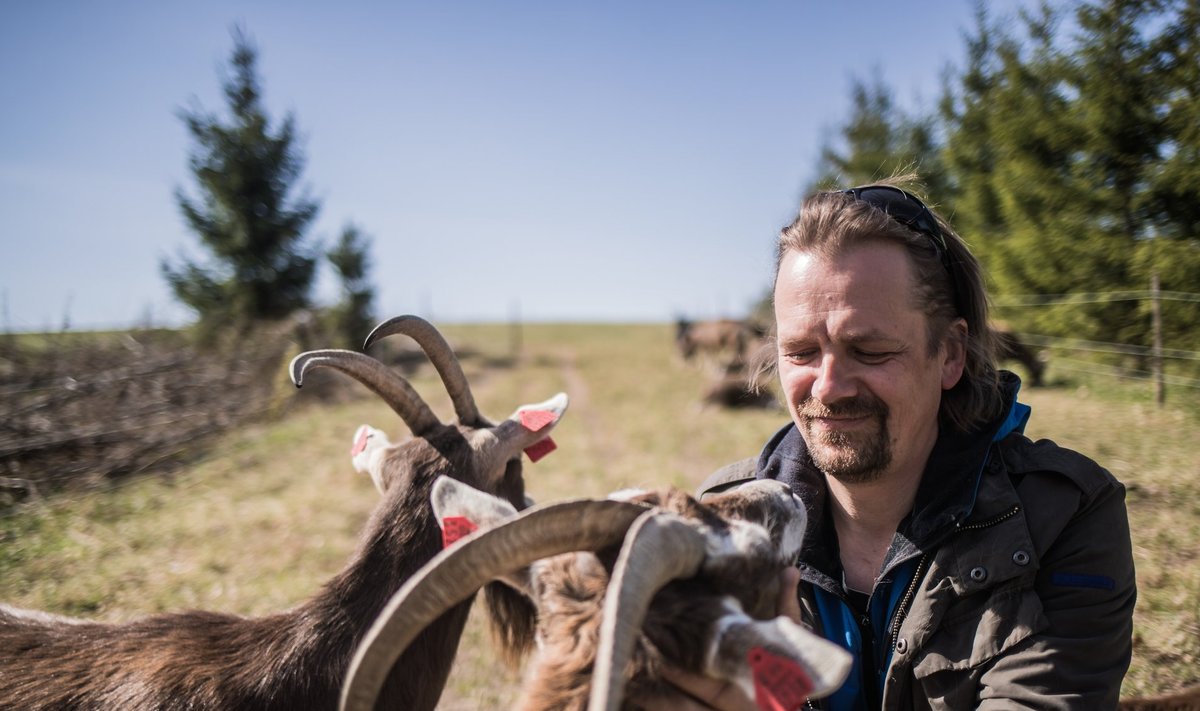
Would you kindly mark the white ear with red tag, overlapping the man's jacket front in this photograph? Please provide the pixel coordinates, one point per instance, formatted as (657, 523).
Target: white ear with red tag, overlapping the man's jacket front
(776, 659)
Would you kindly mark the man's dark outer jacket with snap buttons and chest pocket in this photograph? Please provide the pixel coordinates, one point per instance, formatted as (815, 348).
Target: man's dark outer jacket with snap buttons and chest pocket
(1022, 589)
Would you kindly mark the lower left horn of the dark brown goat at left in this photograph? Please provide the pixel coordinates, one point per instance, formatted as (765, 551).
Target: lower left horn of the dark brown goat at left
(394, 390)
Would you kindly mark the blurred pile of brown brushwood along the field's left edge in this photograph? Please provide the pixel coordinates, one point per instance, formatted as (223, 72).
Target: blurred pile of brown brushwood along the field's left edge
(77, 411)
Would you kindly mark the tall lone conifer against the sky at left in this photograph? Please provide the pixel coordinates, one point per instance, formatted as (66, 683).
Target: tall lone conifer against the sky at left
(259, 265)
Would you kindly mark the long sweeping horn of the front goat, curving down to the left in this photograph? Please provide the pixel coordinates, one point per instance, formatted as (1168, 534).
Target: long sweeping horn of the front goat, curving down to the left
(459, 572)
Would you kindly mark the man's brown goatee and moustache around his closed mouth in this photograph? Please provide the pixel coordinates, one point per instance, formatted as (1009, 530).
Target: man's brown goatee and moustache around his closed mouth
(851, 458)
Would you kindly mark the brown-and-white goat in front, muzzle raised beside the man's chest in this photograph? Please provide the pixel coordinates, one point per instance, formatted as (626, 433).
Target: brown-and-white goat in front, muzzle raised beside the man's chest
(694, 587)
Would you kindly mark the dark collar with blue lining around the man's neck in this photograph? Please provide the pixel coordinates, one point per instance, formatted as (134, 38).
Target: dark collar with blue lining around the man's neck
(945, 497)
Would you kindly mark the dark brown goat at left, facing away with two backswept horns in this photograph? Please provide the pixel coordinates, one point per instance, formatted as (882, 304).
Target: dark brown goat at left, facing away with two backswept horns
(297, 659)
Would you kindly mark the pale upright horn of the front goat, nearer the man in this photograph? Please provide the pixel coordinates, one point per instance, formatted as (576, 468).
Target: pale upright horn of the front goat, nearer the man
(659, 548)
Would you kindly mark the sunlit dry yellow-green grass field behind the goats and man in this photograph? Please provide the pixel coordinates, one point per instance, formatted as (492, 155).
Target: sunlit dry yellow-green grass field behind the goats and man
(274, 511)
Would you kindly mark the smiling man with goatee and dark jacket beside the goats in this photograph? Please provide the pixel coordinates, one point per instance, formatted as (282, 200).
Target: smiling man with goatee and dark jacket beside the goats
(962, 564)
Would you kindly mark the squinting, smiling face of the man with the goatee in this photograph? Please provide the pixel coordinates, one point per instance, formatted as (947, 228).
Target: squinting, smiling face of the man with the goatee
(855, 363)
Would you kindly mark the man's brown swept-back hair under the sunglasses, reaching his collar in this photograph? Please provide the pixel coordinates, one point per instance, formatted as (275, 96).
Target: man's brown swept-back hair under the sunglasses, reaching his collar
(833, 223)
